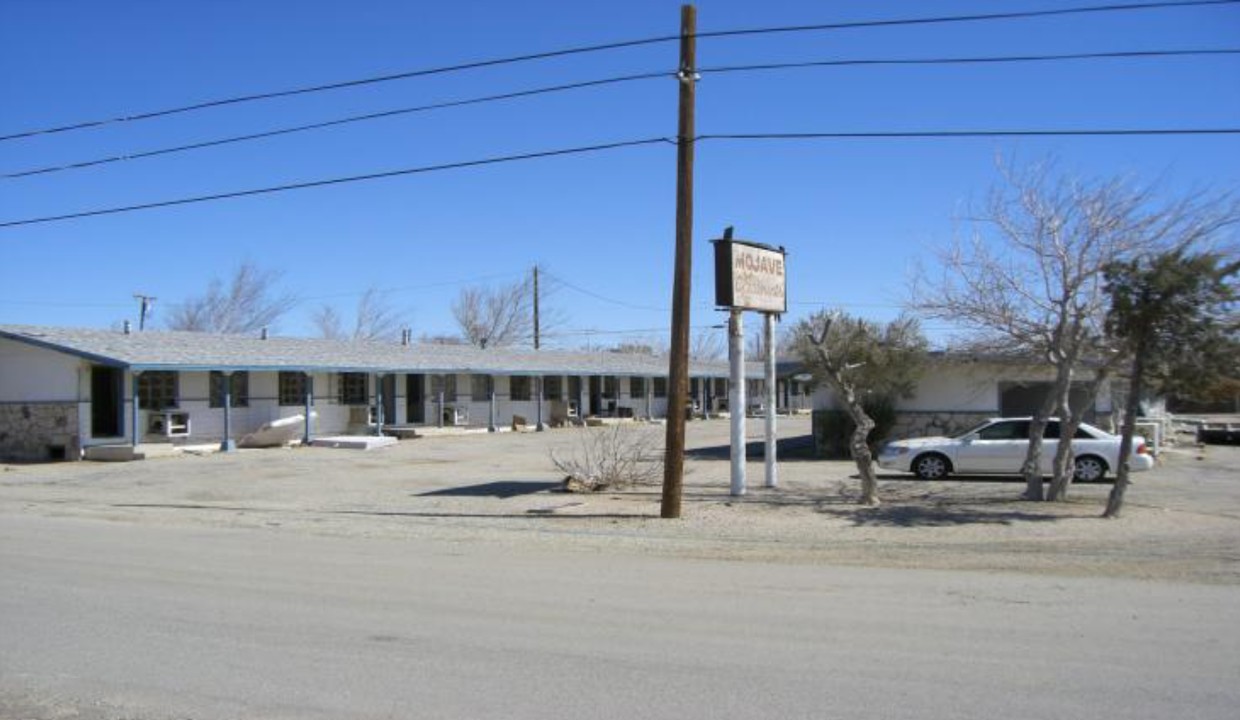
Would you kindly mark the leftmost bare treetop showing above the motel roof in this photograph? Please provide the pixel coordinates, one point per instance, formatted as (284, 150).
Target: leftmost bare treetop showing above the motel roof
(247, 304)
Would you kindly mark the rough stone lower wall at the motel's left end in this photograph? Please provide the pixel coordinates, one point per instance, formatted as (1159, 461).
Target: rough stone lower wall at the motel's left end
(40, 432)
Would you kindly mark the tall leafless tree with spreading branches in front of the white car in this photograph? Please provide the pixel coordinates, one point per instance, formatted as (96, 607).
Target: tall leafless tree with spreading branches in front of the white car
(1030, 282)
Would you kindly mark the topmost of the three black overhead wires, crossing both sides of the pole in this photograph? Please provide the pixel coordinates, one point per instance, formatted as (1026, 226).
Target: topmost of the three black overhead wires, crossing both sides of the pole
(582, 50)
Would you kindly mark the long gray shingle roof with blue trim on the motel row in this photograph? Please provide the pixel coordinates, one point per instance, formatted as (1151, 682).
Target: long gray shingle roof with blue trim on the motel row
(199, 351)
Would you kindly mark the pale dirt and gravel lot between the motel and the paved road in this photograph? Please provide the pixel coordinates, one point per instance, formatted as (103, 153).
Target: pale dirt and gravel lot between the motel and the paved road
(1182, 520)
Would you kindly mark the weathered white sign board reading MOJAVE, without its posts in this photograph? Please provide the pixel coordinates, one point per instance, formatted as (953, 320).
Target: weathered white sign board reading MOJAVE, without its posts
(750, 276)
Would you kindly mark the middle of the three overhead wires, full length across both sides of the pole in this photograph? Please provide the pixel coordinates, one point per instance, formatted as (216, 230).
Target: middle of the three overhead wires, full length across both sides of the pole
(85, 164)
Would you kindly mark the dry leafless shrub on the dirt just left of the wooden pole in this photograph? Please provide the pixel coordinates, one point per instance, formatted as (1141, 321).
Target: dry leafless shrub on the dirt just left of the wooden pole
(612, 458)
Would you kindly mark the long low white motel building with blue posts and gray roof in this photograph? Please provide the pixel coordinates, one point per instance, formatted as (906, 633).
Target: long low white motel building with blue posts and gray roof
(65, 391)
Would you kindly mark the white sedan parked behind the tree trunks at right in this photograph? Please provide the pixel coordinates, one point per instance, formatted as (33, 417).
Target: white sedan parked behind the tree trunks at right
(999, 447)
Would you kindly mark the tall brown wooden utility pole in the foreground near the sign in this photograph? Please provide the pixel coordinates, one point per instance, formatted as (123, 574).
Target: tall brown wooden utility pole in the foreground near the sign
(679, 365)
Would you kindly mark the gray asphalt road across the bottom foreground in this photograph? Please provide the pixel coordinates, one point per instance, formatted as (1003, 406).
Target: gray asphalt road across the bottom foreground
(108, 620)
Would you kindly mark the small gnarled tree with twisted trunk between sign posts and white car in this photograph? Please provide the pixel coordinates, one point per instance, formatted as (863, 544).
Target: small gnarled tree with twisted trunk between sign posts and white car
(859, 359)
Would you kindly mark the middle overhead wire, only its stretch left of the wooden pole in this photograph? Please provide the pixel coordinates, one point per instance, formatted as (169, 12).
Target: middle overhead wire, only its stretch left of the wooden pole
(335, 123)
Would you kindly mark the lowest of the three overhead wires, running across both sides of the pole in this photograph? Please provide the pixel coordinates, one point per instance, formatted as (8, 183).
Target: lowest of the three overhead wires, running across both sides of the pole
(852, 136)
